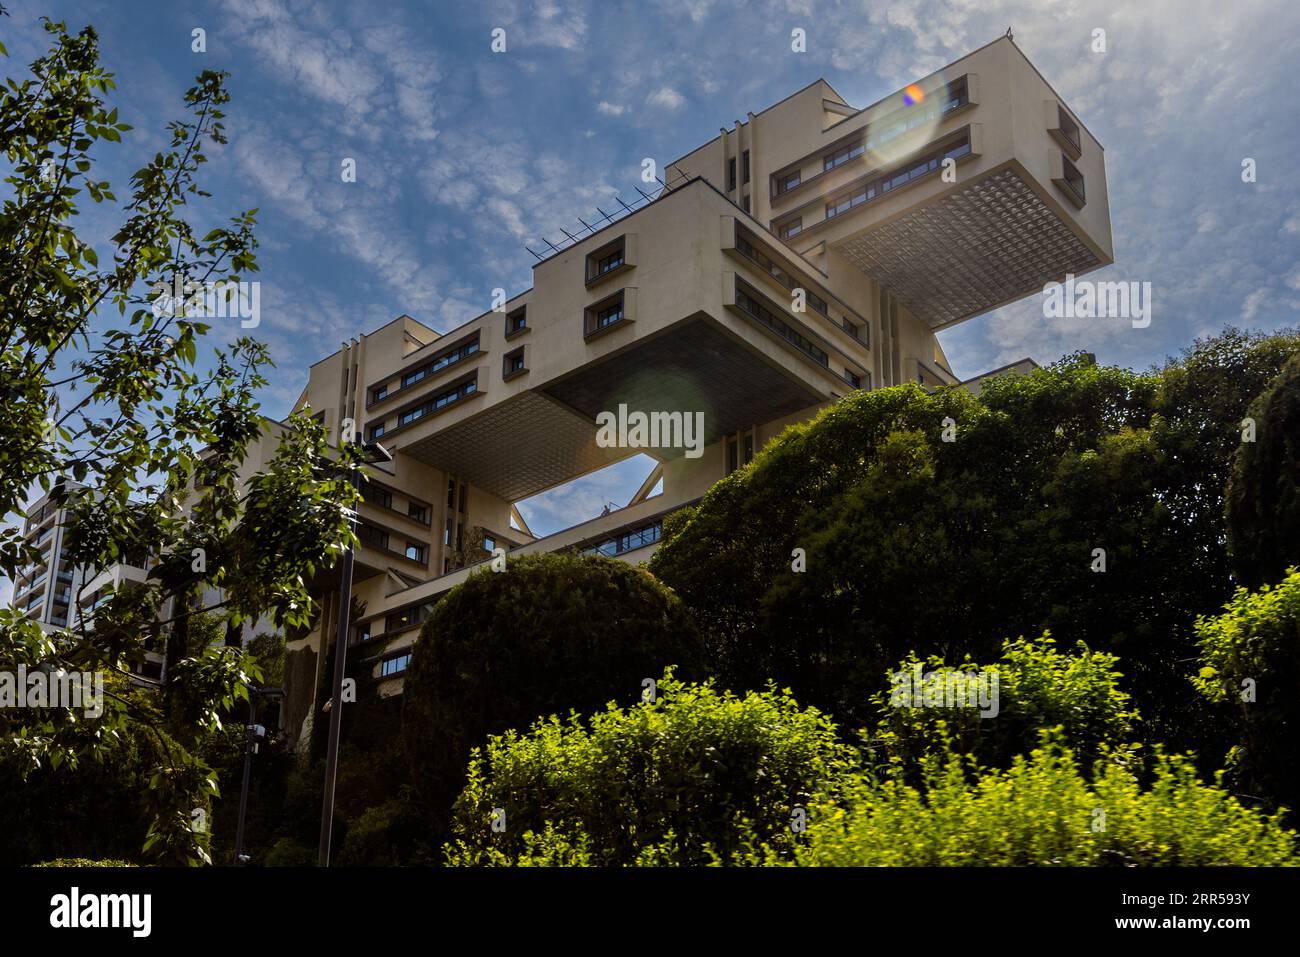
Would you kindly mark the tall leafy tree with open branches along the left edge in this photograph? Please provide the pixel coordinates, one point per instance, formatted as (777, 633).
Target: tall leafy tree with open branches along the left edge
(116, 419)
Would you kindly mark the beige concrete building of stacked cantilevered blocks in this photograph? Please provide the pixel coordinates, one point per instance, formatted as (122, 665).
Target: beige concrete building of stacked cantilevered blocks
(805, 252)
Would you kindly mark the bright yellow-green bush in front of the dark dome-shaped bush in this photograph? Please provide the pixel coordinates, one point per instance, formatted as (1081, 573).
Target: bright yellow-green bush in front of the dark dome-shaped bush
(695, 777)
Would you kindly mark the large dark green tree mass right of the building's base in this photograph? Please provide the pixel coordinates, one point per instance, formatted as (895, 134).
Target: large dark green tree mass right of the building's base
(1072, 501)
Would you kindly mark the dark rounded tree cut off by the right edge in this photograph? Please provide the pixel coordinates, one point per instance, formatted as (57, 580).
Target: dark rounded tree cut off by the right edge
(1264, 488)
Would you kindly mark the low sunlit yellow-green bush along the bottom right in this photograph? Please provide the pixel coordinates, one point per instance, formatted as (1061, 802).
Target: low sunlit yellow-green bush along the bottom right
(1043, 812)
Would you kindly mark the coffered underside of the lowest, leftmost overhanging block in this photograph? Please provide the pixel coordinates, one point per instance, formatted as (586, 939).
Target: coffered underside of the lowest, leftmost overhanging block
(518, 448)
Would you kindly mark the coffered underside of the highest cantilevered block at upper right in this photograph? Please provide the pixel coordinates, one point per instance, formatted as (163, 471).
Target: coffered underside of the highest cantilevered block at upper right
(993, 243)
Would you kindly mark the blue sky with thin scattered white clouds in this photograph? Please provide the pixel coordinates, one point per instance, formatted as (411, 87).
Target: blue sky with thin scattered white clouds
(465, 157)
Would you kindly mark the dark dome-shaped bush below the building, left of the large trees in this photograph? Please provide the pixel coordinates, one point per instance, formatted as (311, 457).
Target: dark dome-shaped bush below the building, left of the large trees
(552, 634)
